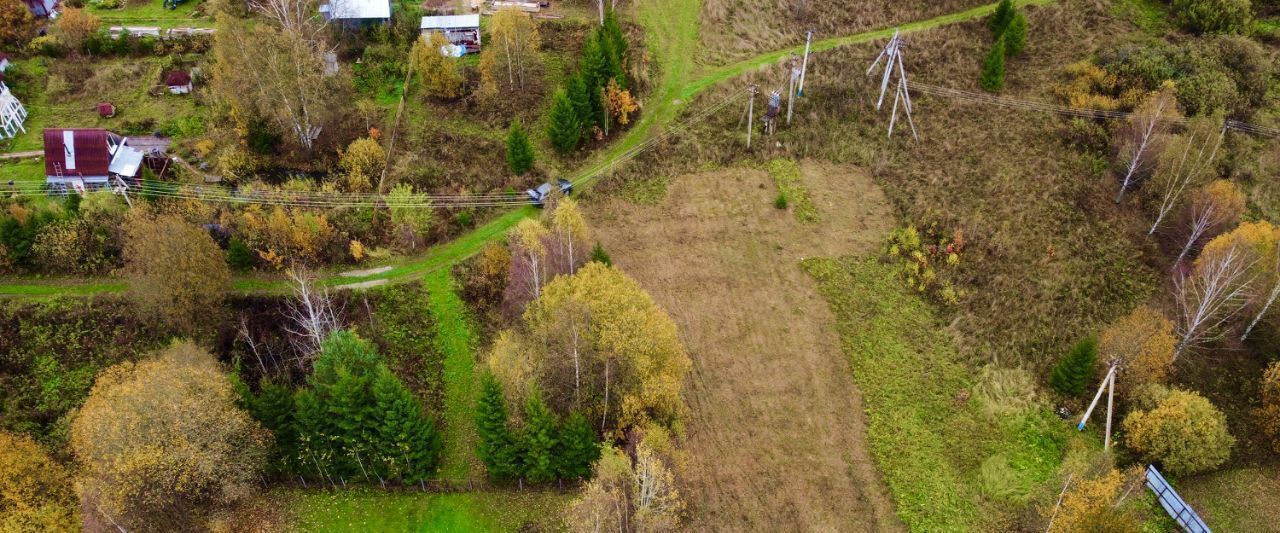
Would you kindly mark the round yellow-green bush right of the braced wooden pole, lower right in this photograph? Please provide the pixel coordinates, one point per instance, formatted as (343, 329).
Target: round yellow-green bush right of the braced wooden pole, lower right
(1178, 429)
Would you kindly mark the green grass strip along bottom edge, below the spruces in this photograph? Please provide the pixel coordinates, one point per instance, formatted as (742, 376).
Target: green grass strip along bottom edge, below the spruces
(417, 512)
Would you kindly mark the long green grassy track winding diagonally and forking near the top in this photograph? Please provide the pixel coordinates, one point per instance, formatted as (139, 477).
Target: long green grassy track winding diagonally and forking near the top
(671, 30)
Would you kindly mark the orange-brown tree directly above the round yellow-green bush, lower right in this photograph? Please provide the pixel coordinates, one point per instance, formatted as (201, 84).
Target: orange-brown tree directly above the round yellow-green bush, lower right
(1144, 344)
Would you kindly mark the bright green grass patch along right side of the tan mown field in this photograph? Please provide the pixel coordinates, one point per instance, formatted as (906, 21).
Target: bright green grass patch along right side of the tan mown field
(949, 464)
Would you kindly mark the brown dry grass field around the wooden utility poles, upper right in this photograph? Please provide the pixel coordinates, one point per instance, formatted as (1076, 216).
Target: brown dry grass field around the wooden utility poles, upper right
(1050, 256)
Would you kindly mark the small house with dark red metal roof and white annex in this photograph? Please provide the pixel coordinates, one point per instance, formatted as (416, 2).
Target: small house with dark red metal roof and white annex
(88, 158)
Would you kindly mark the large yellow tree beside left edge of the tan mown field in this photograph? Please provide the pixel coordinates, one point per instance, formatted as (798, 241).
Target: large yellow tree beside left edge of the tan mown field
(597, 343)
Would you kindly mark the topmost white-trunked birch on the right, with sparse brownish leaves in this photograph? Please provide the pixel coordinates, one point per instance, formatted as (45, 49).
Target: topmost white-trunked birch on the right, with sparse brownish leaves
(1144, 135)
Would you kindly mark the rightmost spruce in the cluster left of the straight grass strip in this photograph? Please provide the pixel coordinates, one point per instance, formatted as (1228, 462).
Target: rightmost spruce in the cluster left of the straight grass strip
(408, 443)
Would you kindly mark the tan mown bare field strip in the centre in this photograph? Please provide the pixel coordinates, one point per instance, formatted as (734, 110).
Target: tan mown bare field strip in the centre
(776, 431)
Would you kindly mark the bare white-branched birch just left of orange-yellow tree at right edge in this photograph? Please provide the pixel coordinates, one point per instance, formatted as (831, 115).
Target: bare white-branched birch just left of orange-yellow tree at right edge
(1212, 295)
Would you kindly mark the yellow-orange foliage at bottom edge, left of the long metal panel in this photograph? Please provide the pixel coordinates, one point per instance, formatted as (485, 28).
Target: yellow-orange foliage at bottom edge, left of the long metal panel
(1091, 507)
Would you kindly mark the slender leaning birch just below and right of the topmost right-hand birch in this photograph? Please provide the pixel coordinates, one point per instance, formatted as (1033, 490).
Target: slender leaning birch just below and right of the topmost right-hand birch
(1186, 163)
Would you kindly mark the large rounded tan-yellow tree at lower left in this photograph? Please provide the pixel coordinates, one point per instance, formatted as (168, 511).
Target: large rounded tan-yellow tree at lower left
(162, 441)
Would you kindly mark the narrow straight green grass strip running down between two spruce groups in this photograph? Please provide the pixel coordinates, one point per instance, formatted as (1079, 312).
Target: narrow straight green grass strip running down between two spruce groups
(458, 341)
